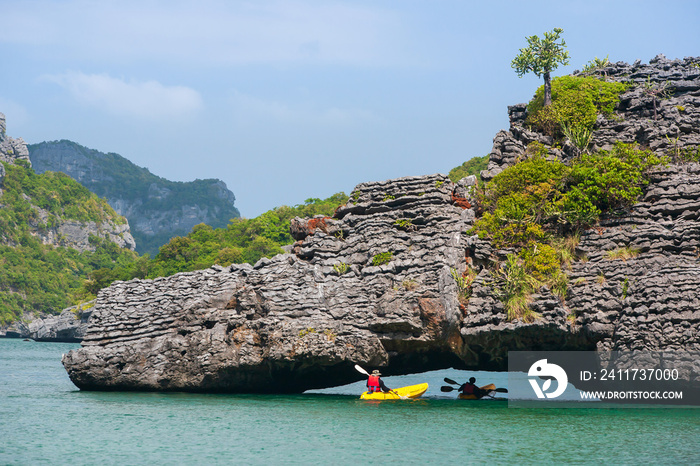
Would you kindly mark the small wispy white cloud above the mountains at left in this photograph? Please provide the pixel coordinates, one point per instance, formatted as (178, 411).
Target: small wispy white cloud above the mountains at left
(145, 100)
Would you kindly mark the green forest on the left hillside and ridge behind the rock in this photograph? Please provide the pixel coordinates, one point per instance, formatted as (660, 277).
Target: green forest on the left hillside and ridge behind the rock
(39, 278)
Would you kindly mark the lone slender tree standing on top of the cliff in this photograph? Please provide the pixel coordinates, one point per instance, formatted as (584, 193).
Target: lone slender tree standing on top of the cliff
(542, 56)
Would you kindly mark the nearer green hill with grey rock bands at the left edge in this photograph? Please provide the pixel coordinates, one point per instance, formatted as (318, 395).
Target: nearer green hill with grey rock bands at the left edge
(54, 233)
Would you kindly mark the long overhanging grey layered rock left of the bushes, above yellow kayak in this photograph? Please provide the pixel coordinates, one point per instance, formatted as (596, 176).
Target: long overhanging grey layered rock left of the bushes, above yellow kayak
(299, 320)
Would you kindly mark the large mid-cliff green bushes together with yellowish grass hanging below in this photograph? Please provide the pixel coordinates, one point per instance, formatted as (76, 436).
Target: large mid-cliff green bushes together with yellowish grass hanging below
(531, 204)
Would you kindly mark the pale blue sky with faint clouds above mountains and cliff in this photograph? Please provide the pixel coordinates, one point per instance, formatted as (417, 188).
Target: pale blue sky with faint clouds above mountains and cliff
(298, 99)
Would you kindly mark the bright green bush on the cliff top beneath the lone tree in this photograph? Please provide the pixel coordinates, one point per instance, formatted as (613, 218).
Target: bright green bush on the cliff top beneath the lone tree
(576, 103)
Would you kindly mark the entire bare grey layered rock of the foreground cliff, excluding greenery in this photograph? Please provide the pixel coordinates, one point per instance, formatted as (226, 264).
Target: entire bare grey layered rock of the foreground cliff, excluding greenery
(376, 284)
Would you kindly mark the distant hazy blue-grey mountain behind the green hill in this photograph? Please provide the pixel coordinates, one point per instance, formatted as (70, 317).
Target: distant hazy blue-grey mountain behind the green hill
(157, 209)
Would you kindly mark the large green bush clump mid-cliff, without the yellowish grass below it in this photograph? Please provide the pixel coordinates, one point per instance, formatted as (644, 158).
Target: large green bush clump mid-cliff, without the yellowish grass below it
(537, 195)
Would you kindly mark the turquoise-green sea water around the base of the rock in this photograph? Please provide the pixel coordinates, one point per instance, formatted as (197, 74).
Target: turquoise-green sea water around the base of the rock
(45, 419)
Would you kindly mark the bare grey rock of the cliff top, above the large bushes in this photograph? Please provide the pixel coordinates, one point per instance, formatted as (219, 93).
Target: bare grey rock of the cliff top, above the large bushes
(673, 126)
